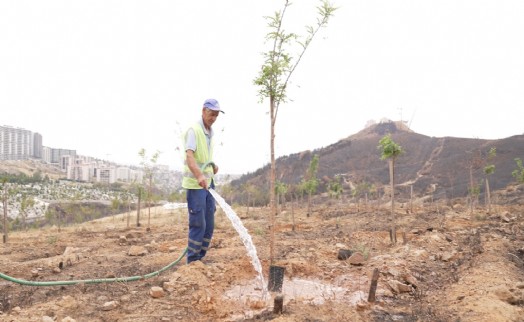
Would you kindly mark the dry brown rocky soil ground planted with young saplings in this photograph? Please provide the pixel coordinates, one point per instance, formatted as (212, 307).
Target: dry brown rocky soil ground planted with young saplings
(448, 265)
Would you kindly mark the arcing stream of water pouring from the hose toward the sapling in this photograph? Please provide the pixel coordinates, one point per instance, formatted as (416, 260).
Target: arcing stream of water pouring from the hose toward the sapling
(244, 236)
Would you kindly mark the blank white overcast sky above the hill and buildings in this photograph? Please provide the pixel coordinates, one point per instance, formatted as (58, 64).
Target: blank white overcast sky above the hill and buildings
(108, 78)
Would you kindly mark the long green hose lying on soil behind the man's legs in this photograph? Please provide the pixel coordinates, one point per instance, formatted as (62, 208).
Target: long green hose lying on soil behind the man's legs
(93, 281)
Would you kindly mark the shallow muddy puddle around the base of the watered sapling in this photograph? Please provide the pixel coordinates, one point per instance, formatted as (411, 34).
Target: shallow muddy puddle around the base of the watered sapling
(306, 291)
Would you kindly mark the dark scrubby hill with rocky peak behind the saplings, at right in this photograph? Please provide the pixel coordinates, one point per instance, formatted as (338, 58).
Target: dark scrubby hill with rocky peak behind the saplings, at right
(440, 166)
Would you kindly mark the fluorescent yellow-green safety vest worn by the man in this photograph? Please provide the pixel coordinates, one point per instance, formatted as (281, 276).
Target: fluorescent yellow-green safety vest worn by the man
(202, 156)
